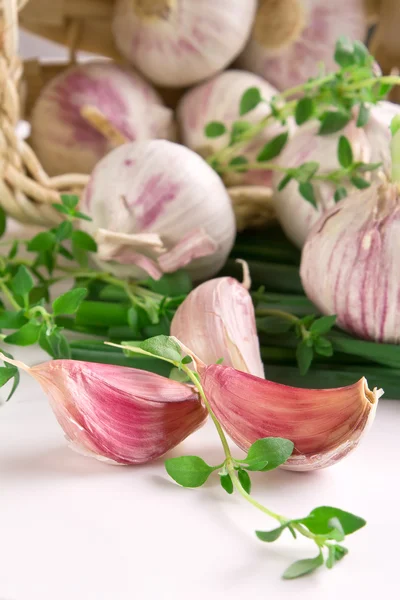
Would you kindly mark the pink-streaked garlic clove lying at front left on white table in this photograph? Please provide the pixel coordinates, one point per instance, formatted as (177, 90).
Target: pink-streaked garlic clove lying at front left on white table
(119, 414)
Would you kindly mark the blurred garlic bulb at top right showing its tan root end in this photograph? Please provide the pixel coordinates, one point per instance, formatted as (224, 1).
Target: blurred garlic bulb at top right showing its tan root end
(290, 38)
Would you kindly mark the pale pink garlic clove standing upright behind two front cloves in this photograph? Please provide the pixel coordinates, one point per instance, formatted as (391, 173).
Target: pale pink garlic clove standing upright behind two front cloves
(217, 321)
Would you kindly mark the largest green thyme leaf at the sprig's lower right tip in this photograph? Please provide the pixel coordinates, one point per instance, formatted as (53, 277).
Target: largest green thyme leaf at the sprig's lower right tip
(319, 521)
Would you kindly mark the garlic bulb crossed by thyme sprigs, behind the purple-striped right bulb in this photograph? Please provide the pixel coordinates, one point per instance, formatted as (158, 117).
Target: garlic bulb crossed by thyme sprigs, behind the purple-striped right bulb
(295, 214)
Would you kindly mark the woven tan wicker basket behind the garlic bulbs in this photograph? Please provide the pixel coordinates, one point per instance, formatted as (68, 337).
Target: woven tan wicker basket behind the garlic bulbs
(26, 191)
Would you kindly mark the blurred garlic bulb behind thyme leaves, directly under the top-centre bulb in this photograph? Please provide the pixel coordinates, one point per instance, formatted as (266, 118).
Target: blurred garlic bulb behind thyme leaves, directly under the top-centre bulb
(218, 100)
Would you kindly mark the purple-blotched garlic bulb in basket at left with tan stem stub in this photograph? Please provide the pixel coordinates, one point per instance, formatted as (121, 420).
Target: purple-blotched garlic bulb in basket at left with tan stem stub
(88, 110)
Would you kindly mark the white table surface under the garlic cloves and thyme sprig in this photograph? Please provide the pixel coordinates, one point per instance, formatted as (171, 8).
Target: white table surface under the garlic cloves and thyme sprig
(73, 527)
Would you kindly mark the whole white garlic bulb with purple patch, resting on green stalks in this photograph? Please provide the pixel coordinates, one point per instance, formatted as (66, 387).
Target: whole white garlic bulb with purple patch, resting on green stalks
(157, 206)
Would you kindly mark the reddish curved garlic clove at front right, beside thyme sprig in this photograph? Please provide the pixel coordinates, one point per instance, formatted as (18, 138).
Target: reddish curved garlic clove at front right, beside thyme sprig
(324, 425)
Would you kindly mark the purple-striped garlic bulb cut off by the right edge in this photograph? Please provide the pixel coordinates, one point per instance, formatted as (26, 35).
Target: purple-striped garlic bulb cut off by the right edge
(349, 264)
